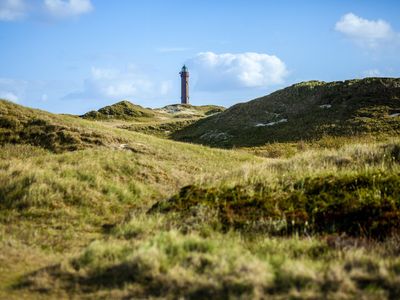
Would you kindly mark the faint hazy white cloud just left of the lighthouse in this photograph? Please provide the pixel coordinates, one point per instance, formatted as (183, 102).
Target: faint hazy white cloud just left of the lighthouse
(115, 84)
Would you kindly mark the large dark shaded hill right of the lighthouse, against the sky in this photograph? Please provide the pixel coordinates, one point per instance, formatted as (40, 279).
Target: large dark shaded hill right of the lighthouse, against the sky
(304, 111)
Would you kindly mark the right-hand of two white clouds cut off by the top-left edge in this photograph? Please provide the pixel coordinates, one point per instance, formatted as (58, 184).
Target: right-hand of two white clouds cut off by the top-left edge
(67, 8)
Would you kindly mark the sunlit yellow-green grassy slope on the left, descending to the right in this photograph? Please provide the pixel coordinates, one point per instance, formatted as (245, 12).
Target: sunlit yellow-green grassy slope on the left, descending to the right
(65, 181)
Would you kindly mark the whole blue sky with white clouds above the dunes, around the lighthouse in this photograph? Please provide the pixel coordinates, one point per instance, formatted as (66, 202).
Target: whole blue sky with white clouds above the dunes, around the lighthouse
(71, 56)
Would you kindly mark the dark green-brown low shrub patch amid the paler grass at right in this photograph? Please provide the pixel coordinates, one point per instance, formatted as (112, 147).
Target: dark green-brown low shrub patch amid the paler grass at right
(360, 205)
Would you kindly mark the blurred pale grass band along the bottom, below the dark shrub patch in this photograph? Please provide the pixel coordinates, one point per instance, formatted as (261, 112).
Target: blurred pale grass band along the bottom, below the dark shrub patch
(144, 259)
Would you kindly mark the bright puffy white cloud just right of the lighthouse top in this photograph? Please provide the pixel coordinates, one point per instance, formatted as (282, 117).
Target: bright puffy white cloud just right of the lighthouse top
(242, 70)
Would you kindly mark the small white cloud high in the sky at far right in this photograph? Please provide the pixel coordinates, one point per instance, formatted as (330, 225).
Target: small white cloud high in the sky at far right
(369, 33)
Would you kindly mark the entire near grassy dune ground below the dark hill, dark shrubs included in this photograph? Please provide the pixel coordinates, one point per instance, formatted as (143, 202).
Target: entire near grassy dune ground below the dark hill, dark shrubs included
(127, 215)
